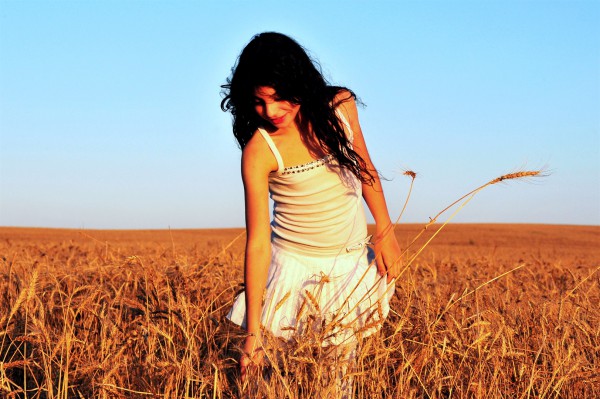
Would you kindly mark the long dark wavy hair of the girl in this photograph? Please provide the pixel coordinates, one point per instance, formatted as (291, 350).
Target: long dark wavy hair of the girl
(276, 60)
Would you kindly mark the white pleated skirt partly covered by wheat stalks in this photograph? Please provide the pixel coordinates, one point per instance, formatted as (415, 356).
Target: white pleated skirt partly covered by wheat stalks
(343, 297)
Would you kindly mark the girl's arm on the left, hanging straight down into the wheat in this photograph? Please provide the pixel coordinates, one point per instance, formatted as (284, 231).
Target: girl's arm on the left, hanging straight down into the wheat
(255, 172)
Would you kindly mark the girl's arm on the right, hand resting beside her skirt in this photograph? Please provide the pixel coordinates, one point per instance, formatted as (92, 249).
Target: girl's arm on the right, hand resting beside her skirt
(387, 249)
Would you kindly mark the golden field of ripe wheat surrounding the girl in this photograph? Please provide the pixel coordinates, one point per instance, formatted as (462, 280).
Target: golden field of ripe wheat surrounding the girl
(486, 311)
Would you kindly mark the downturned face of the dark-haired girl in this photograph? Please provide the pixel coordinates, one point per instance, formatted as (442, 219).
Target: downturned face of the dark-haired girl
(279, 113)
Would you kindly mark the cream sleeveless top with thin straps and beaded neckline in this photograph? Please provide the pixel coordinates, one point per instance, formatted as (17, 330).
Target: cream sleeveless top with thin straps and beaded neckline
(318, 207)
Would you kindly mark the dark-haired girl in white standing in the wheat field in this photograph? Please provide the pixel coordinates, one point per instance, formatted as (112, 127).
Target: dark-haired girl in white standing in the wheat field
(302, 145)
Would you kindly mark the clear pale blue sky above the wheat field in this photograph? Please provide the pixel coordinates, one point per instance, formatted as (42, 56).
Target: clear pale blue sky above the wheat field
(110, 110)
